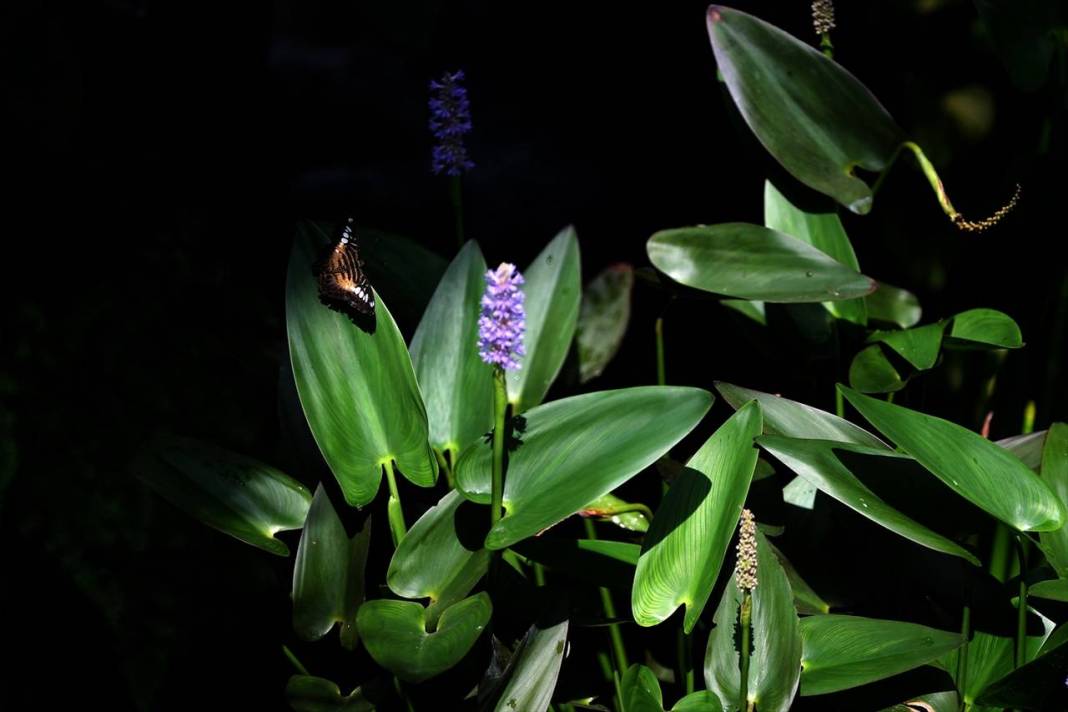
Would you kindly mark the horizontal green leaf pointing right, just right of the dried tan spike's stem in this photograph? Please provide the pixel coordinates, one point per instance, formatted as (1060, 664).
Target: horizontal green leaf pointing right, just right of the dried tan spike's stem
(840, 653)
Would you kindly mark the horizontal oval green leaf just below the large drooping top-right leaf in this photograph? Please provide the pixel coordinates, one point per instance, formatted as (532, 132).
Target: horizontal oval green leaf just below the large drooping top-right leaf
(751, 262)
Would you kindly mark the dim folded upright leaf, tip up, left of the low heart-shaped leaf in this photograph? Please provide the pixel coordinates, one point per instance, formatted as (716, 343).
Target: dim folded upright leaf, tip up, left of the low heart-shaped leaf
(328, 574)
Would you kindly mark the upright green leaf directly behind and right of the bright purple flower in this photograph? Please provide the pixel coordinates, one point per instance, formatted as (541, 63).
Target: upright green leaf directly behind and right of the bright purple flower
(553, 296)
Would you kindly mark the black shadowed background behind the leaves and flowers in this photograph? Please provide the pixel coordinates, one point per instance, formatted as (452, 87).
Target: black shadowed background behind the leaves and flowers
(159, 156)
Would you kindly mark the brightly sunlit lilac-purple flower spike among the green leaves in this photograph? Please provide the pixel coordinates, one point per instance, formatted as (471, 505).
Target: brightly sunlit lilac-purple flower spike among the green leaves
(502, 322)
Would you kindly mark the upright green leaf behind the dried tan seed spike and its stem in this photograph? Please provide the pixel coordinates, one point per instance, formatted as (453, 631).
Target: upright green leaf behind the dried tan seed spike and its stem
(776, 651)
